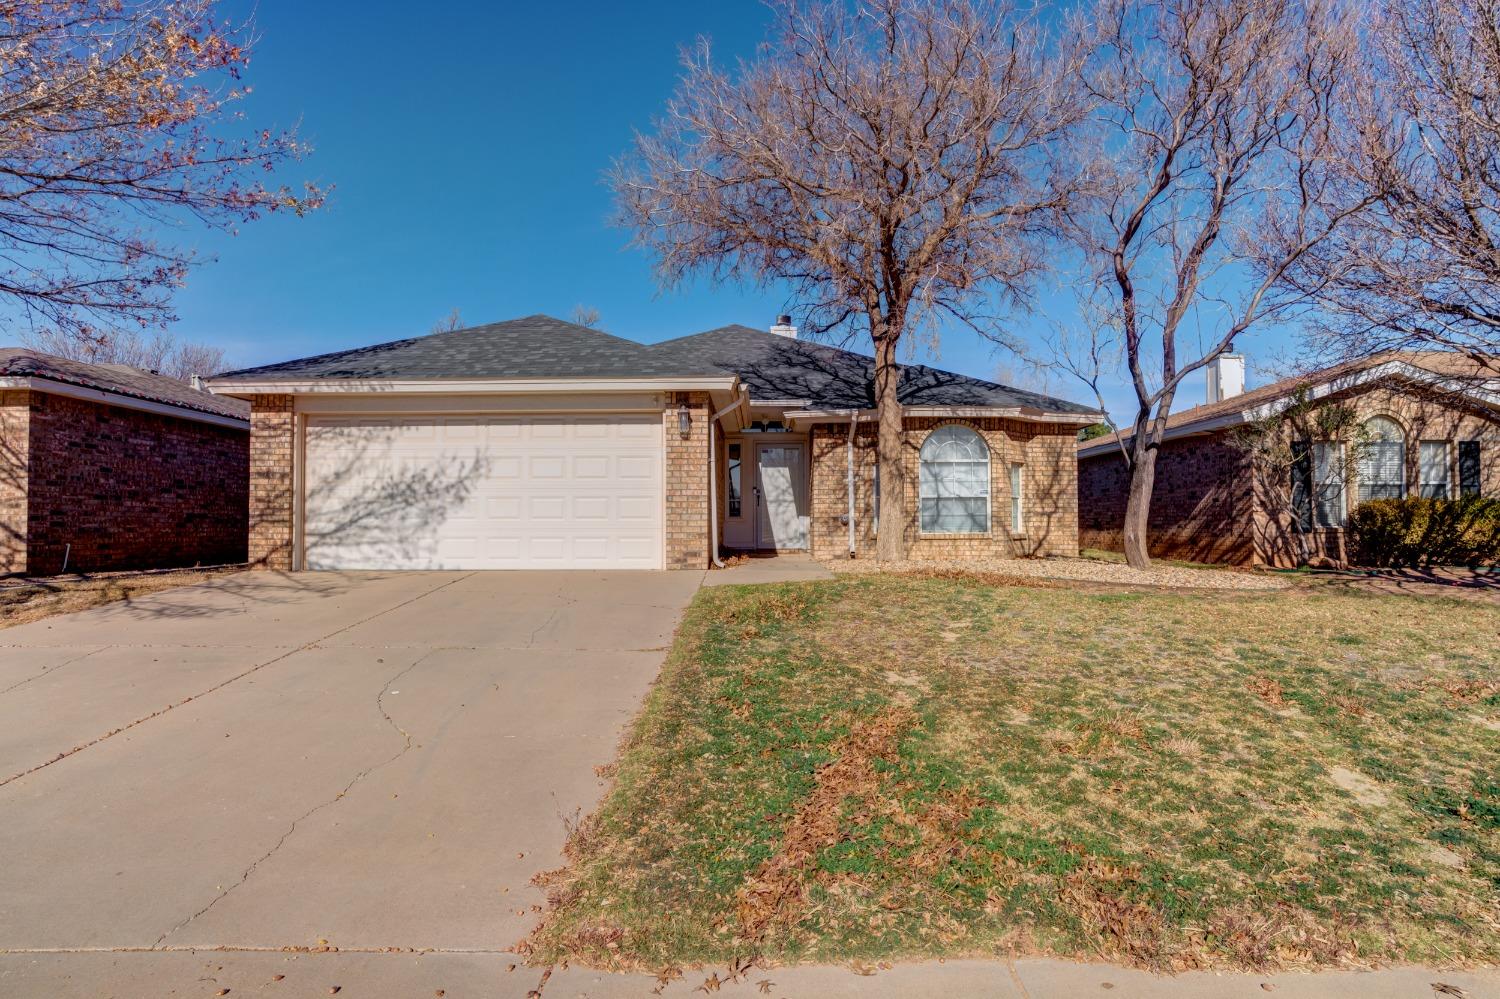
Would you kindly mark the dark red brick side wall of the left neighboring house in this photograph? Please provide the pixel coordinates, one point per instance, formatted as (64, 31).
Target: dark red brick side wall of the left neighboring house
(130, 490)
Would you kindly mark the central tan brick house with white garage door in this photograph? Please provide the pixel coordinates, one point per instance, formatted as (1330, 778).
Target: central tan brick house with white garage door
(544, 445)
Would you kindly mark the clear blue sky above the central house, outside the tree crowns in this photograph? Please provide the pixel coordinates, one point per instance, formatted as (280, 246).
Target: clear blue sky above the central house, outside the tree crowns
(467, 146)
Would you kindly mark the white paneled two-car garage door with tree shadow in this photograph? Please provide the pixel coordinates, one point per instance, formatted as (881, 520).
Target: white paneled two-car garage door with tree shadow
(484, 493)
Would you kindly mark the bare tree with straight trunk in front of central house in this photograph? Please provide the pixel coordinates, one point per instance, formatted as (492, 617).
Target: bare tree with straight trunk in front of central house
(893, 161)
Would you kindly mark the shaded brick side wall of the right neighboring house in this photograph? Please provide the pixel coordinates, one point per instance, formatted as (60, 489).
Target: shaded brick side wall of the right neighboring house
(1201, 508)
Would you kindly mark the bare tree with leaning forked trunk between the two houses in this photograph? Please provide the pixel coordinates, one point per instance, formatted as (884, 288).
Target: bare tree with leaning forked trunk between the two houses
(1219, 172)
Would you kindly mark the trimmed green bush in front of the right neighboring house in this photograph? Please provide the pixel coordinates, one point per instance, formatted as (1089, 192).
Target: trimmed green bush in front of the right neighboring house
(1420, 532)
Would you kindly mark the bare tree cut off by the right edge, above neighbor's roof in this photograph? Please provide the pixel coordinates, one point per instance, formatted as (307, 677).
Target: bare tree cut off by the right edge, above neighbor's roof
(1424, 268)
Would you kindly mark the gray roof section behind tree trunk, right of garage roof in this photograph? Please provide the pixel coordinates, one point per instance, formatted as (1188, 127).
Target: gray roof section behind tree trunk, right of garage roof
(781, 368)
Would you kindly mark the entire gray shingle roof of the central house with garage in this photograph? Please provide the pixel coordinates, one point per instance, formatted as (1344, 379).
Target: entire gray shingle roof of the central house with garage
(541, 347)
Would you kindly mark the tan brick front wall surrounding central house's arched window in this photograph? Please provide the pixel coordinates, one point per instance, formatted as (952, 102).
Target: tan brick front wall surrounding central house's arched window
(1049, 478)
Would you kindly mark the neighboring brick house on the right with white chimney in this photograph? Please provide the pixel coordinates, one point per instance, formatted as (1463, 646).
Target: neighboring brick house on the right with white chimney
(1426, 422)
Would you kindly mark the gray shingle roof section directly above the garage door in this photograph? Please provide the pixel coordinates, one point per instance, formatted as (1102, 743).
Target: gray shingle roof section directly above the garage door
(535, 347)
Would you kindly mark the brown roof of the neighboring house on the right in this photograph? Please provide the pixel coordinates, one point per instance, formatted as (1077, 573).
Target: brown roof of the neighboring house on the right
(1444, 370)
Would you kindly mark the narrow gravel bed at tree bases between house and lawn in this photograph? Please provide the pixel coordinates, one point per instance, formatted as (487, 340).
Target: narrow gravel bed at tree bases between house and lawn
(1078, 569)
